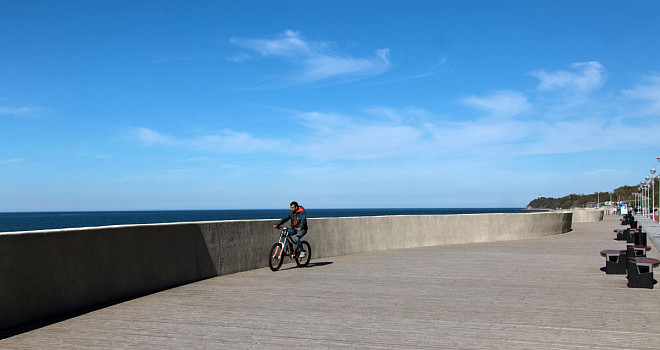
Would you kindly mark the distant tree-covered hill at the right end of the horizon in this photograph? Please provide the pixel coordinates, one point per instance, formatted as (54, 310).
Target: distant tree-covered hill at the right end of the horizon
(621, 194)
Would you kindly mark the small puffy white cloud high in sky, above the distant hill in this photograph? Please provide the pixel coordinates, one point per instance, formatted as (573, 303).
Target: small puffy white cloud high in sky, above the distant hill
(584, 77)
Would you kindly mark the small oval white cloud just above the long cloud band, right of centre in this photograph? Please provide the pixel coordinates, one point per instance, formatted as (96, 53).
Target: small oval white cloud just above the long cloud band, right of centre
(500, 104)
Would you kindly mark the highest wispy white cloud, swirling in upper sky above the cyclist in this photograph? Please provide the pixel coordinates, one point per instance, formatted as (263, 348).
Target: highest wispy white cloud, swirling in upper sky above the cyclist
(314, 61)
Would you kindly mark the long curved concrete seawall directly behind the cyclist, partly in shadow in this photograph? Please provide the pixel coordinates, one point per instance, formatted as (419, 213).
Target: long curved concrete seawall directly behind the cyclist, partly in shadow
(47, 273)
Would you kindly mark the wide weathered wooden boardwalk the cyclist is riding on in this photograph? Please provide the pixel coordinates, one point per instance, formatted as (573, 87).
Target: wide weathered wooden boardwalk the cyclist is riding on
(545, 293)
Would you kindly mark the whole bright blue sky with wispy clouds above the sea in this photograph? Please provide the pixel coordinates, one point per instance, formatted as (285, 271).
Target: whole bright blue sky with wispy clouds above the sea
(122, 105)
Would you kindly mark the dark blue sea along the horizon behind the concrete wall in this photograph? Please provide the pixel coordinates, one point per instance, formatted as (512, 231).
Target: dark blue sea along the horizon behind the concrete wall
(10, 222)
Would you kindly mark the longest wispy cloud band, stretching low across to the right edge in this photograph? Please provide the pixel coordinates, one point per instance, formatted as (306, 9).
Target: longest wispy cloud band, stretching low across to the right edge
(387, 133)
